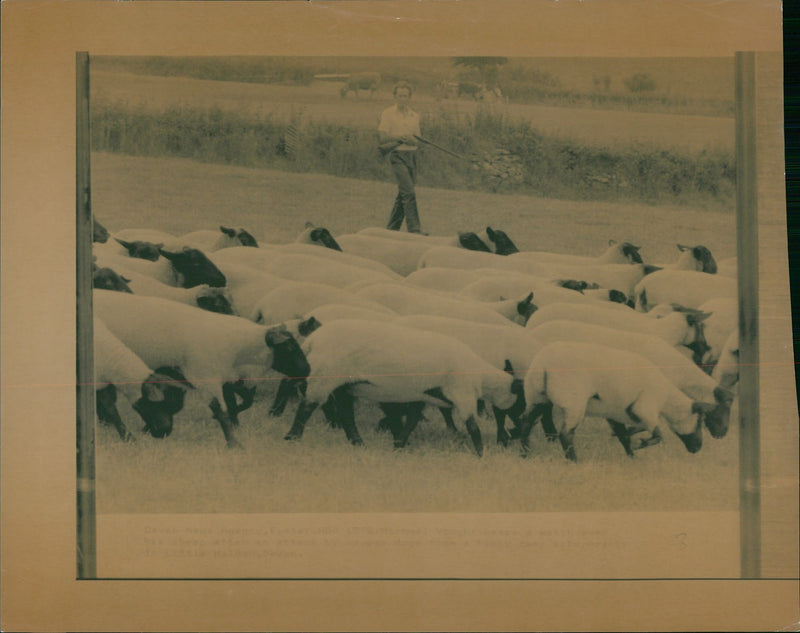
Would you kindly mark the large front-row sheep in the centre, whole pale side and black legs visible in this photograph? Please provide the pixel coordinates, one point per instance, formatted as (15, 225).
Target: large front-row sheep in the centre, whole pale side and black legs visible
(386, 363)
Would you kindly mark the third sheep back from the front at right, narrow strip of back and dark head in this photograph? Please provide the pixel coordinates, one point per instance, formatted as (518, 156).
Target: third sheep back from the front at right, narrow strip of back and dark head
(678, 328)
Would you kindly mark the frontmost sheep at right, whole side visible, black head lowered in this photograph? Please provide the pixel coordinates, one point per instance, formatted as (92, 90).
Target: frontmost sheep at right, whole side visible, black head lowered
(581, 379)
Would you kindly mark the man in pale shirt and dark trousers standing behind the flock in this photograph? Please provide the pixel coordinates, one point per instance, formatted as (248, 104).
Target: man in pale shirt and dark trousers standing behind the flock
(397, 129)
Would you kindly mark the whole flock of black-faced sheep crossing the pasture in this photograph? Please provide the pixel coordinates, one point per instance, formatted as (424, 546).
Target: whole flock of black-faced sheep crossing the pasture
(467, 324)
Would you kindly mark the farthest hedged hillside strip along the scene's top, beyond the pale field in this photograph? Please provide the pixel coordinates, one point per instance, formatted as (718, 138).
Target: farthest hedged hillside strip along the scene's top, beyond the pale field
(679, 85)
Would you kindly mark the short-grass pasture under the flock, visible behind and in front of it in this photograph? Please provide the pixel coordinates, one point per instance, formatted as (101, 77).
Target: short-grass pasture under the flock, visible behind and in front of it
(192, 472)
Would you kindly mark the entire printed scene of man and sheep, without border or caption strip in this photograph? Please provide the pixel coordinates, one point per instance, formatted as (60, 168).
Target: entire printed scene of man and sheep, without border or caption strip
(383, 285)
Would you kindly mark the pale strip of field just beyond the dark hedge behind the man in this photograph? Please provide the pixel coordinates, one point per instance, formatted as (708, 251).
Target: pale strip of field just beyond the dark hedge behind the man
(321, 100)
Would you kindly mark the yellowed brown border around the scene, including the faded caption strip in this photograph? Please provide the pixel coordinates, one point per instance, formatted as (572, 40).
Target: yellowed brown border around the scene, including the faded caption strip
(332, 571)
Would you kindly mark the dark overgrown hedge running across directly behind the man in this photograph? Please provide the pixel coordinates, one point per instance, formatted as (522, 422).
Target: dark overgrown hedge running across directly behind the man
(552, 166)
